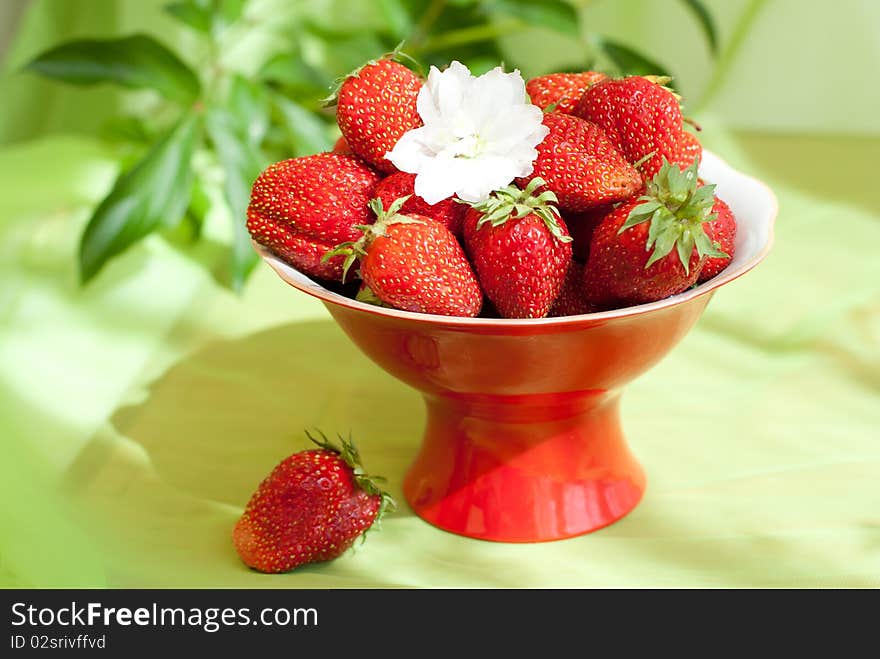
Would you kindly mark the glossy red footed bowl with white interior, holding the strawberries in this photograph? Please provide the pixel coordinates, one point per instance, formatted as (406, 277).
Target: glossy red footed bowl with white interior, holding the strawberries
(523, 440)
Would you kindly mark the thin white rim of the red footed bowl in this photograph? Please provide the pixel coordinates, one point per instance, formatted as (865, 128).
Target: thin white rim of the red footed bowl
(315, 289)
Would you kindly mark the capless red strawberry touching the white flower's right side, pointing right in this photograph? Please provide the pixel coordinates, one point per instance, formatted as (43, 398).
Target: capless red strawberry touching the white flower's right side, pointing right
(581, 166)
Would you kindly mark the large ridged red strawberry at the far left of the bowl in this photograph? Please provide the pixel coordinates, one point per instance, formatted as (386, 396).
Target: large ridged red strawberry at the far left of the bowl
(302, 207)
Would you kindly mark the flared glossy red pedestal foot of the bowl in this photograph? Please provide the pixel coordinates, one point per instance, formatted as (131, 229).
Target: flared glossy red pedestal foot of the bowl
(524, 468)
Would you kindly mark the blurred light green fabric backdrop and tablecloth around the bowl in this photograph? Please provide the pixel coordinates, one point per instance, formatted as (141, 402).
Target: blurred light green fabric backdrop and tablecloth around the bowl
(138, 414)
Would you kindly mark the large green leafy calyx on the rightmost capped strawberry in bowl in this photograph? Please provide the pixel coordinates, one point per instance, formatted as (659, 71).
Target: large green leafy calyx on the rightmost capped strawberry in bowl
(677, 209)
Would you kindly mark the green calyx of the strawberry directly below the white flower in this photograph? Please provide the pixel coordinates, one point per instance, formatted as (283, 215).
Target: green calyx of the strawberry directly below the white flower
(511, 202)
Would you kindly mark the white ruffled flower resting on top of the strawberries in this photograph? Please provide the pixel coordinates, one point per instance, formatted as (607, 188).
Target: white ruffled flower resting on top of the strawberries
(478, 134)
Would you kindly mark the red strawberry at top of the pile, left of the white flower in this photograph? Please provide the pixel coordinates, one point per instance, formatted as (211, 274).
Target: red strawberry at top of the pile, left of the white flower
(375, 106)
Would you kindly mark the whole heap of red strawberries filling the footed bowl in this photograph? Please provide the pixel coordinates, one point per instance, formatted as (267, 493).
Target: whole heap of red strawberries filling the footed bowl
(613, 214)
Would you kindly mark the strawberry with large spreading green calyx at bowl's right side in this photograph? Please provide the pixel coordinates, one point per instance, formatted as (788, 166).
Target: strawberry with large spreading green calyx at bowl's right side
(622, 269)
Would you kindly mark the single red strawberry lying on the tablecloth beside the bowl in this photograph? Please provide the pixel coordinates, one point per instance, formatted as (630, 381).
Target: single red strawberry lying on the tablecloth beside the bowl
(312, 507)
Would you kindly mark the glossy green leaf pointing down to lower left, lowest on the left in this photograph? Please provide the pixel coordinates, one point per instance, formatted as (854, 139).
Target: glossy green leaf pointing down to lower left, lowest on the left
(152, 194)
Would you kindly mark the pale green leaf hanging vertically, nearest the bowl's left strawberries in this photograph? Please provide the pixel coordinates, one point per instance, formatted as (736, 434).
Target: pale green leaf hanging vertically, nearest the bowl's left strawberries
(242, 163)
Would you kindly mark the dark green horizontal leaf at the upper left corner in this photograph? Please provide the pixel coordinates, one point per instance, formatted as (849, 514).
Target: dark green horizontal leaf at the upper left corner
(138, 61)
